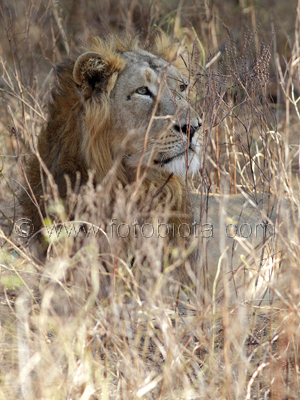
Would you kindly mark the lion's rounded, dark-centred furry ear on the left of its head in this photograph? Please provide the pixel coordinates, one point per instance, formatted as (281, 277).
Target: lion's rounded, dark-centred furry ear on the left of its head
(95, 71)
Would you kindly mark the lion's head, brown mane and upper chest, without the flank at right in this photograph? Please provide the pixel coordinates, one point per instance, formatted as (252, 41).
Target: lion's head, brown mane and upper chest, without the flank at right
(119, 118)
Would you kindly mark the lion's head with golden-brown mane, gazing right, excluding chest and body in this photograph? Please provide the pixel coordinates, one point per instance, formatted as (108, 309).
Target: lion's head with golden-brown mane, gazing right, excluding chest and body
(118, 106)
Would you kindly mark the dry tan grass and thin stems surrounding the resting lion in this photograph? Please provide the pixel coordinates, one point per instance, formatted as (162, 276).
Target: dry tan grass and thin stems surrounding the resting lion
(58, 338)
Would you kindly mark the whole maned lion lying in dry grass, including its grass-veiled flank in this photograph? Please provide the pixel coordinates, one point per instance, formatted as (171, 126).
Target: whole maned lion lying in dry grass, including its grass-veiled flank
(120, 112)
